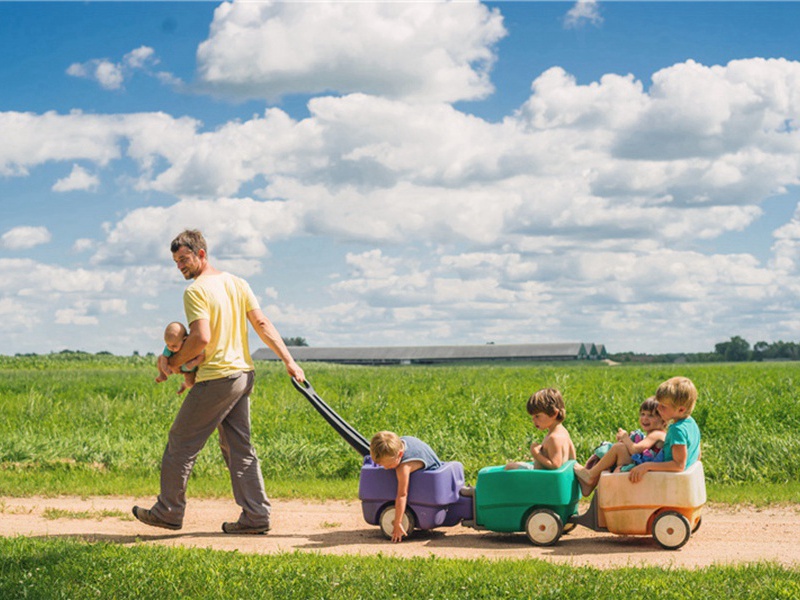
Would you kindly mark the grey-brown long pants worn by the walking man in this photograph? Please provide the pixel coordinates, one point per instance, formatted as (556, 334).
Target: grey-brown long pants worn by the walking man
(222, 404)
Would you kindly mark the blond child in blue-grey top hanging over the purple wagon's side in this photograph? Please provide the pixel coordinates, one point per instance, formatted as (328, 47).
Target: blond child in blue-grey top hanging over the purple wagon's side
(405, 455)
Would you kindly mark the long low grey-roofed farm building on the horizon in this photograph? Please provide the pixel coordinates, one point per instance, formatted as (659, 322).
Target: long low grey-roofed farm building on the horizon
(407, 355)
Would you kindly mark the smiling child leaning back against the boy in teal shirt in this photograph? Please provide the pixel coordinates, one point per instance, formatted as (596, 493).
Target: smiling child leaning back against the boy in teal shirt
(631, 448)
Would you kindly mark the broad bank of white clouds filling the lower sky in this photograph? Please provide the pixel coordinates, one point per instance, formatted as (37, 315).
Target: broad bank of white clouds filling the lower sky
(582, 211)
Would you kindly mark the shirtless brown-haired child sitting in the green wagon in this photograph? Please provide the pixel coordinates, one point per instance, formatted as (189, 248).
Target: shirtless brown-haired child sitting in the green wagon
(547, 411)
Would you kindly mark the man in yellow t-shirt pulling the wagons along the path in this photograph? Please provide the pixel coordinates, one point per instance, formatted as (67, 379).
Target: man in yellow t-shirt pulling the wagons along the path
(218, 306)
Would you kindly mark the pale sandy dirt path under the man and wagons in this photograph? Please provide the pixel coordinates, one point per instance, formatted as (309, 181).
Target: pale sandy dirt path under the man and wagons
(728, 535)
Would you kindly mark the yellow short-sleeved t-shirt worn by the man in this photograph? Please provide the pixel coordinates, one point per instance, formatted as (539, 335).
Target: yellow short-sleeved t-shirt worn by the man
(224, 300)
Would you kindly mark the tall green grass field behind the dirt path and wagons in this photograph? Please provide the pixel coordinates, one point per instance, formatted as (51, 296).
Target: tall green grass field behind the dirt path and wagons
(79, 424)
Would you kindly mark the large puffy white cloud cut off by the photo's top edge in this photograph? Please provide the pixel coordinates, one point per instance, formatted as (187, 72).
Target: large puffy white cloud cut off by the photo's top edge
(428, 50)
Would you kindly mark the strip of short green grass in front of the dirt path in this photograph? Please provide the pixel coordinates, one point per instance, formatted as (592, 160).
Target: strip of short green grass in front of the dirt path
(62, 568)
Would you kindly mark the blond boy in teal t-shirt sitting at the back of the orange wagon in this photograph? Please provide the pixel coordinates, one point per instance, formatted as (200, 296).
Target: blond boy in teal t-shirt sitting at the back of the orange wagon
(676, 398)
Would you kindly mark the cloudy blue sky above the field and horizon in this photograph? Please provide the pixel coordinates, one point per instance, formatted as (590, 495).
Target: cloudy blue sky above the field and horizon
(403, 173)
